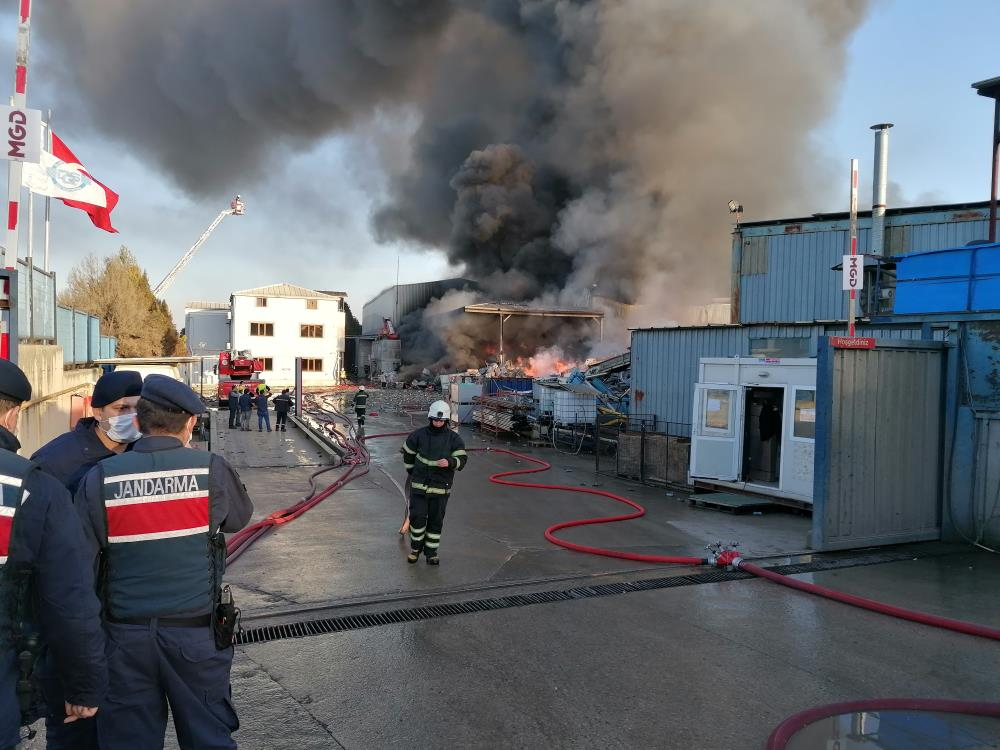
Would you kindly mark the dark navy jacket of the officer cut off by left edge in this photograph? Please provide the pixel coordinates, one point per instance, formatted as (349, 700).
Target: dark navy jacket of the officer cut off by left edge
(46, 537)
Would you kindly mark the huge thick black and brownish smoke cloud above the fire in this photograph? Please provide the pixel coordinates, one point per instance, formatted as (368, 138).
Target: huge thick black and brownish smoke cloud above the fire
(563, 146)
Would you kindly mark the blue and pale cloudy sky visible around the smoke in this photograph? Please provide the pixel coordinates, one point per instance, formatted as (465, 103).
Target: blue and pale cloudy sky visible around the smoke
(910, 63)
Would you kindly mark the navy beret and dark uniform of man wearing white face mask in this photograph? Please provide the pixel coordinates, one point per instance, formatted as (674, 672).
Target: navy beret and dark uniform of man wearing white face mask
(68, 458)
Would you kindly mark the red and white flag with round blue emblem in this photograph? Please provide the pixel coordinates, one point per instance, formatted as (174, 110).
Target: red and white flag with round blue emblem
(61, 175)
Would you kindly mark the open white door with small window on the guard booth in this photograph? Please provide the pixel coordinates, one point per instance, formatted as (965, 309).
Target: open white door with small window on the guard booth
(717, 432)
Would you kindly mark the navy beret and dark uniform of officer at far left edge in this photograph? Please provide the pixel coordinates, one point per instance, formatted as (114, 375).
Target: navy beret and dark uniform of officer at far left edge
(46, 586)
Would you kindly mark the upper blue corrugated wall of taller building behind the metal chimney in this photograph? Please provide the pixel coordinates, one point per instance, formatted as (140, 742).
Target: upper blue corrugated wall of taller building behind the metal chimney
(785, 268)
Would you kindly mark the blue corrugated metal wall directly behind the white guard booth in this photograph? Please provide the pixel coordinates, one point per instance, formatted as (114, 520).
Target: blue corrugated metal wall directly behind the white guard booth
(665, 362)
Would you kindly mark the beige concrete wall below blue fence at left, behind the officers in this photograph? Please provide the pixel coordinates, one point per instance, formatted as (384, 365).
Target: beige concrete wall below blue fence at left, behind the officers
(47, 414)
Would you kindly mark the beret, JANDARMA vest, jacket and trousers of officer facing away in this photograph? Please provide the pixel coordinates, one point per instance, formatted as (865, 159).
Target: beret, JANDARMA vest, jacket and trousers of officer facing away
(153, 516)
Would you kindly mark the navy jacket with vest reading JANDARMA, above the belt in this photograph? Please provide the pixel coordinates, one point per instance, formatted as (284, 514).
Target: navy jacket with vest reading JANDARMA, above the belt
(170, 501)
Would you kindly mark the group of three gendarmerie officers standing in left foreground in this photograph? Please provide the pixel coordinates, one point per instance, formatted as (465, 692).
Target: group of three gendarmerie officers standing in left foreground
(108, 611)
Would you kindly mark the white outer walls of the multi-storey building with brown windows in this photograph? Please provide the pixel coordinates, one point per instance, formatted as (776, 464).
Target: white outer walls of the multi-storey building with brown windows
(288, 314)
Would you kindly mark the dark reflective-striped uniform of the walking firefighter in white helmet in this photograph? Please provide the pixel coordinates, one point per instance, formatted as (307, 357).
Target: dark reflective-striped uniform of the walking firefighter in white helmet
(430, 485)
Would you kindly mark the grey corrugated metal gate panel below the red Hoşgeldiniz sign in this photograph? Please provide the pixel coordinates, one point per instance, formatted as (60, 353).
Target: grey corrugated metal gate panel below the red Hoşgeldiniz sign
(879, 444)
